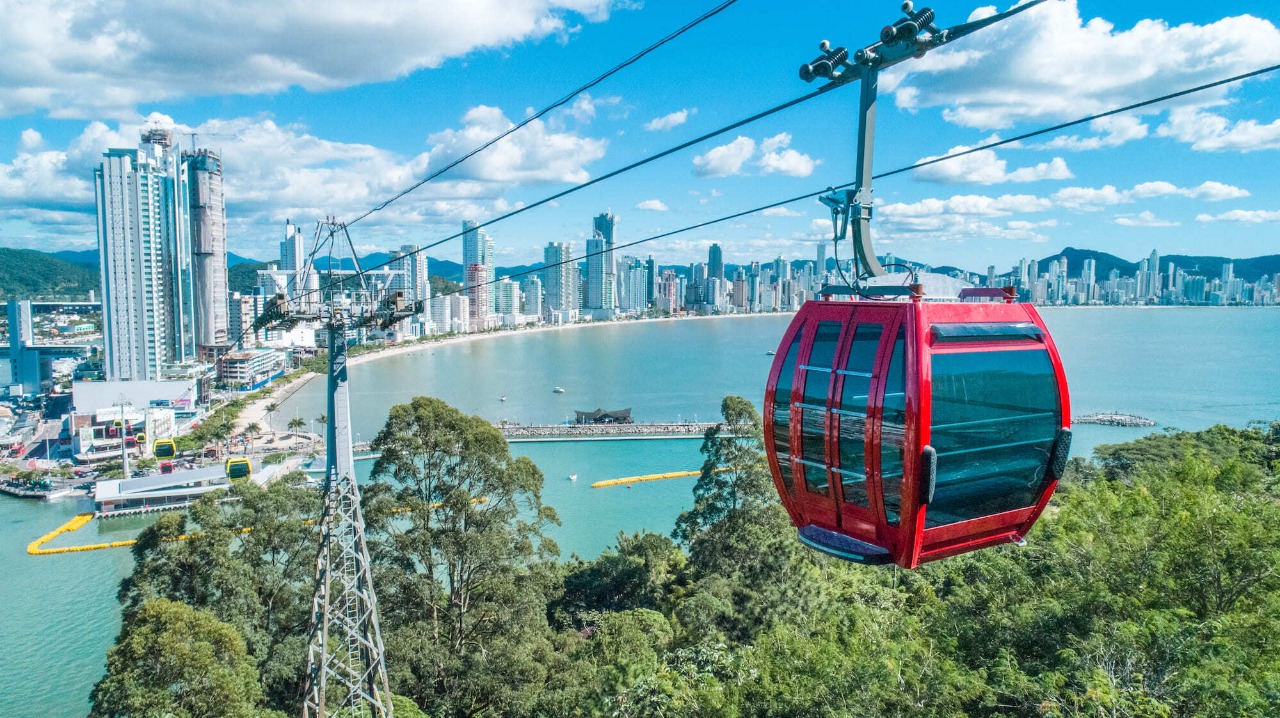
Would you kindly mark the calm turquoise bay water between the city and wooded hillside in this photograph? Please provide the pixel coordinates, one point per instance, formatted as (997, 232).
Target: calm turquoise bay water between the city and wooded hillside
(1182, 368)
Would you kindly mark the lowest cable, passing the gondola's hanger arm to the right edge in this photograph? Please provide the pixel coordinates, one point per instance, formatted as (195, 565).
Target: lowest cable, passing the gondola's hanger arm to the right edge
(892, 173)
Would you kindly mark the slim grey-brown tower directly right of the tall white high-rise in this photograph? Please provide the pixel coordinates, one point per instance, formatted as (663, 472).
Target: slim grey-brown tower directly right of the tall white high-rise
(202, 184)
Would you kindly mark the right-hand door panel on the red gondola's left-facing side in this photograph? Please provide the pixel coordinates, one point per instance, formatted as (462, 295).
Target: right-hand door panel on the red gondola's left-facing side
(858, 404)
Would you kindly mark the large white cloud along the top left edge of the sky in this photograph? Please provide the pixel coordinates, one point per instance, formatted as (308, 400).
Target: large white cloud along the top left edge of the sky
(76, 60)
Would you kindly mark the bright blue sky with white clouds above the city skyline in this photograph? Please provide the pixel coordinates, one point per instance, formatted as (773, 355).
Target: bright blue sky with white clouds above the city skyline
(328, 108)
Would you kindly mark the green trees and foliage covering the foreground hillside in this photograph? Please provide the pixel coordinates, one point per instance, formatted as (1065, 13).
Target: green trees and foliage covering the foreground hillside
(1150, 589)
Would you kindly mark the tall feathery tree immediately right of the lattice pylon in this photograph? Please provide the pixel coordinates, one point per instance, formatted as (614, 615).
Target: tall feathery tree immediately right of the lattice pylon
(468, 571)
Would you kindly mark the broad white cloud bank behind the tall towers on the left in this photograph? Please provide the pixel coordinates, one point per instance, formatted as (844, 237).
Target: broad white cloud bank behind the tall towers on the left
(277, 172)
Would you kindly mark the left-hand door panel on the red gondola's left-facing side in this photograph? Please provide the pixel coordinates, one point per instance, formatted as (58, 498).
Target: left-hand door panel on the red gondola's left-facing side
(812, 420)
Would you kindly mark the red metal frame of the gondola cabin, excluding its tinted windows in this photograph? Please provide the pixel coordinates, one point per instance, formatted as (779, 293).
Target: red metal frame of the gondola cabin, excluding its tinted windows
(911, 543)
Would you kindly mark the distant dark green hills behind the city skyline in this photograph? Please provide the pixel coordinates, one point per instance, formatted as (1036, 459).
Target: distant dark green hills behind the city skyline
(72, 275)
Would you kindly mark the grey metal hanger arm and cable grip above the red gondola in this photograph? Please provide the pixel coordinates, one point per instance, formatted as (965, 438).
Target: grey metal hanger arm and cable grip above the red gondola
(909, 38)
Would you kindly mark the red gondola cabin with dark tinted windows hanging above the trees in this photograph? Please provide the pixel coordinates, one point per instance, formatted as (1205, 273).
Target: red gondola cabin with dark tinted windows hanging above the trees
(906, 432)
